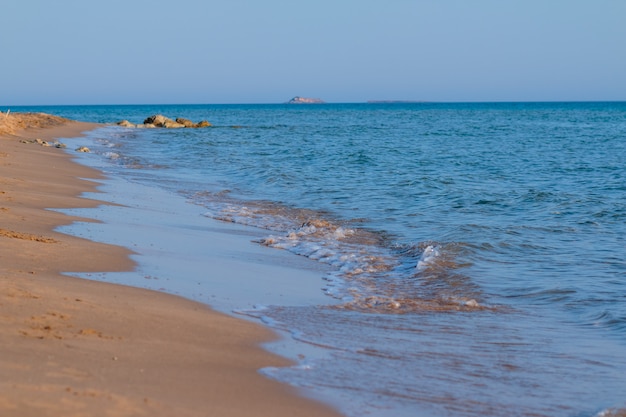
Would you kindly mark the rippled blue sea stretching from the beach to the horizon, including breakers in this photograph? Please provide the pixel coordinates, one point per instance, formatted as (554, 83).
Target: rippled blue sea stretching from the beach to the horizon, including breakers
(474, 254)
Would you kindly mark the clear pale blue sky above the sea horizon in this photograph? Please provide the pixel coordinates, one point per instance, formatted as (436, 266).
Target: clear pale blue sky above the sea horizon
(253, 51)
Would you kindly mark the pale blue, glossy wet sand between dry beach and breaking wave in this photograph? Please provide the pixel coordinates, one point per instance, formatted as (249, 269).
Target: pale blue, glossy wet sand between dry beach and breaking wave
(181, 251)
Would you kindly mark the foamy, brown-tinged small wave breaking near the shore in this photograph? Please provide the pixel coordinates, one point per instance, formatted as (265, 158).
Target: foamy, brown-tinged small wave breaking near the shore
(370, 273)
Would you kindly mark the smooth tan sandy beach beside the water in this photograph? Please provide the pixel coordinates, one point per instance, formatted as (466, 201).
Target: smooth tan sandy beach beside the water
(72, 347)
